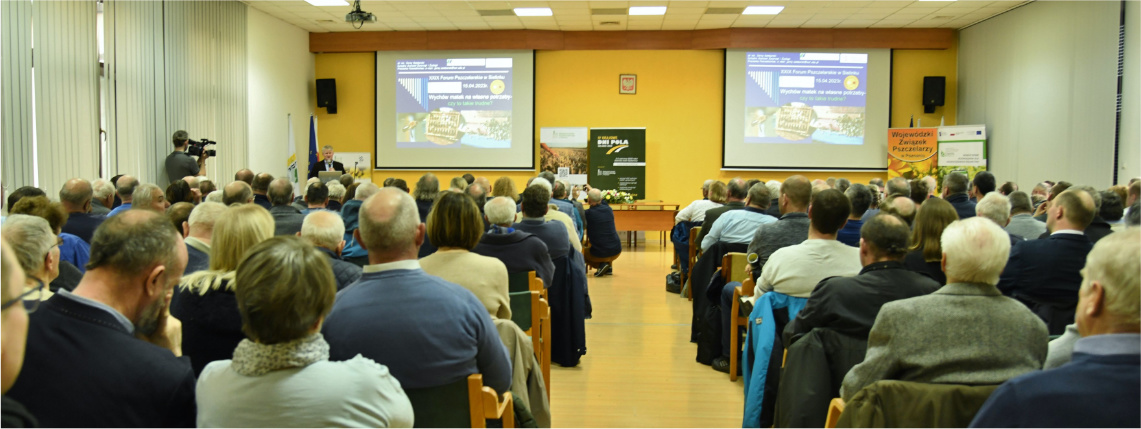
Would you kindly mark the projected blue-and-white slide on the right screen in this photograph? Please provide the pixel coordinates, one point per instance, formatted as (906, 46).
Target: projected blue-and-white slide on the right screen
(805, 98)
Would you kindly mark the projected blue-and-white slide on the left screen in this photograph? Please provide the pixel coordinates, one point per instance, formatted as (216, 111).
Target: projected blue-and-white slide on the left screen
(454, 103)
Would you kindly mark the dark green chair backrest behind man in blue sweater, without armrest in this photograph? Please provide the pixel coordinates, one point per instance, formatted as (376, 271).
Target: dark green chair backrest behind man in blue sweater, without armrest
(442, 407)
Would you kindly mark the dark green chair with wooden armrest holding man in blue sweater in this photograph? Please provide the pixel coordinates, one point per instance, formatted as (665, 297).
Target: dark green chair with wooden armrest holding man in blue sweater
(464, 404)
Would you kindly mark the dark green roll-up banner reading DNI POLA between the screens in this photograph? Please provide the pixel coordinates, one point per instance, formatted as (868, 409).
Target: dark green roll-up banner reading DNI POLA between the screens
(618, 160)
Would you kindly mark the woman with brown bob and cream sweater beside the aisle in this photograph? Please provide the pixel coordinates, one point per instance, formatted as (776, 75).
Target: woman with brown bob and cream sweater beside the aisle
(456, 228)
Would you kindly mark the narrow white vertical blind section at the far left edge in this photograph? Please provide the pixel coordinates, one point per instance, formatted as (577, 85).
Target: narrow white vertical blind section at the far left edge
(17, 87)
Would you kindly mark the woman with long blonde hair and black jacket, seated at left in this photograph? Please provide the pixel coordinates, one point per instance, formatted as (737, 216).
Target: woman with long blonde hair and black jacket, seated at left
(205, 301)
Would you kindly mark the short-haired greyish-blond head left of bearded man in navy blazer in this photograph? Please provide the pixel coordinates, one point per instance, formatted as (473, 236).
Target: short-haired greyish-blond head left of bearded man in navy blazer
(37, 250)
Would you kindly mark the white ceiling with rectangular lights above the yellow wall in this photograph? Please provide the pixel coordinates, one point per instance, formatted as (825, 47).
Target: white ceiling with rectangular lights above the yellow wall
(432, 15)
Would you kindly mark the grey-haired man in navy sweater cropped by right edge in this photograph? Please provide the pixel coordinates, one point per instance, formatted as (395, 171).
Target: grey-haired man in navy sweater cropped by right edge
(1102, 386)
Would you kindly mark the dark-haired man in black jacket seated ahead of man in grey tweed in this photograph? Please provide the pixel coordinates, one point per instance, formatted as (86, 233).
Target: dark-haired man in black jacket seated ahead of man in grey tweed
(849, 305)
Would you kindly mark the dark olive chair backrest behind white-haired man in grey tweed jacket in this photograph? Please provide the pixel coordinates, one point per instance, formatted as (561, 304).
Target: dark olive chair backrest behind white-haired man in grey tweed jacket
(907, 404)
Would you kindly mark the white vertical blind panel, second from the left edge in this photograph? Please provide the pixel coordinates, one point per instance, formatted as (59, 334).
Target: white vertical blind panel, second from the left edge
(67, 92)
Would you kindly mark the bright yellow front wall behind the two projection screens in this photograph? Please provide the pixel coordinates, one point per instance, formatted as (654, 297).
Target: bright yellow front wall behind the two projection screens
(679, 102)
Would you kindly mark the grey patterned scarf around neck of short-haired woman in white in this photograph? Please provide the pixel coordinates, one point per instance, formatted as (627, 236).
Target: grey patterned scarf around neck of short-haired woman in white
(253, 359)
